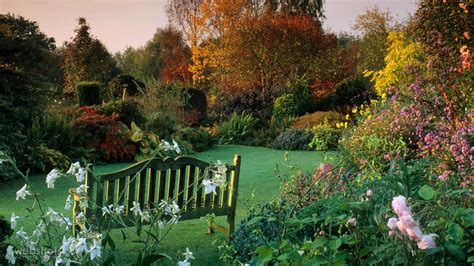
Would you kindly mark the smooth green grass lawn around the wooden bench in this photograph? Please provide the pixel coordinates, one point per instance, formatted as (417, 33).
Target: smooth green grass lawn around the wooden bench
(257, 178)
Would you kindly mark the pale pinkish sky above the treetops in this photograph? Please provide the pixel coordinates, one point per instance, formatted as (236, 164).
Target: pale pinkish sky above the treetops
(122, 23)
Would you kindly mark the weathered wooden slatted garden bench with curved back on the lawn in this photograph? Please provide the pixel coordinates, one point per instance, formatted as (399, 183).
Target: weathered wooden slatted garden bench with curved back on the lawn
(150, 181)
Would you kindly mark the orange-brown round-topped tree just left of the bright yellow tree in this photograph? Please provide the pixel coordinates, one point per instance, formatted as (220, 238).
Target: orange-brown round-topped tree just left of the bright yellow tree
(374, 26)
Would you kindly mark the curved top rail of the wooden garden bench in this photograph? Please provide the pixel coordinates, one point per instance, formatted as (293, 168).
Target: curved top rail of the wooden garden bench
(159, 164)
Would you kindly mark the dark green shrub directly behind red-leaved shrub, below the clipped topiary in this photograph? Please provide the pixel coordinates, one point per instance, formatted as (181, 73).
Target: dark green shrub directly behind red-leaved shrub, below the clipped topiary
(128, 111)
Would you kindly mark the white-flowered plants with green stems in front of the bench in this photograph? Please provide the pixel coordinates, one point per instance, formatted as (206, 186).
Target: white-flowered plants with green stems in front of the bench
(56, 234)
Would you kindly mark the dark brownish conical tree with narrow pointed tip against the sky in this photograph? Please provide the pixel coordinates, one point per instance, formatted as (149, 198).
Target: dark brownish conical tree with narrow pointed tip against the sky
(86, 58)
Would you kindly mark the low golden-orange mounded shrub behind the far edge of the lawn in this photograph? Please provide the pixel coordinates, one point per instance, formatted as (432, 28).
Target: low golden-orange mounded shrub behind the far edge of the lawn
(318, 118)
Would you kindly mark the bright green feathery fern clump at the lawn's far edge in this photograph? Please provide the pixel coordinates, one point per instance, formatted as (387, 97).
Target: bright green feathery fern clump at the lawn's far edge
(237, 129)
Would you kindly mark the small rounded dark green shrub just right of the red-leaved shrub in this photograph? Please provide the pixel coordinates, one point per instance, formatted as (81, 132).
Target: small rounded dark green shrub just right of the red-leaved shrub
(161, 123)
